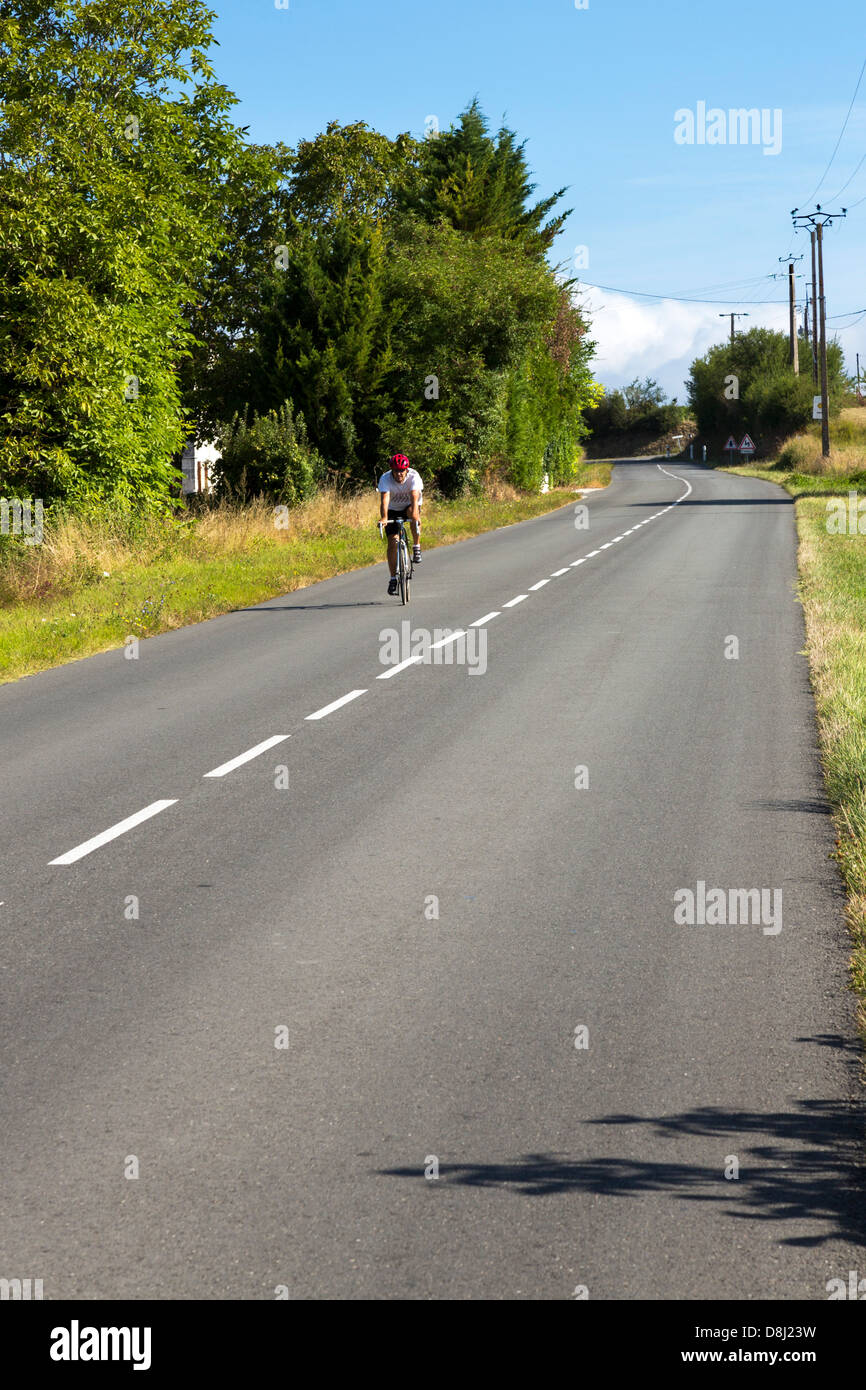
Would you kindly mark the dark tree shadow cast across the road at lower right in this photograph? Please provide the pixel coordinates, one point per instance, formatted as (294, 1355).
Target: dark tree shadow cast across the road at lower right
(796, 1167)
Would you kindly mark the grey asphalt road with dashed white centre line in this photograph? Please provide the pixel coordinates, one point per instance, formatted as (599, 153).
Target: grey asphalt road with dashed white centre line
(415, 897)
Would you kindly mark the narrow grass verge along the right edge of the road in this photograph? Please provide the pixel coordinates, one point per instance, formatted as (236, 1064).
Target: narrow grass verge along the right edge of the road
(833, 593)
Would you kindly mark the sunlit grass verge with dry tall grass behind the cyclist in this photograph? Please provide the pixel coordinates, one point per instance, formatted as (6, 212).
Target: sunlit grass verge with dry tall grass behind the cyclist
(92, 584)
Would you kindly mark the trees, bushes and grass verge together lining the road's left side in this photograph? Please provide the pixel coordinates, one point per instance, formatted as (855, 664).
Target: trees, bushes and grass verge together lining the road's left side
(311, 311)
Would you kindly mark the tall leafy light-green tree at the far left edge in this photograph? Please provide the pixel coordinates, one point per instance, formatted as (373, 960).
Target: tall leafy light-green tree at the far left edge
(116, 155)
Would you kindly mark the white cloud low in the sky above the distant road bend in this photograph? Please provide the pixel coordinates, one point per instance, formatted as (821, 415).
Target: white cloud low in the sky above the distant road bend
(661, 340)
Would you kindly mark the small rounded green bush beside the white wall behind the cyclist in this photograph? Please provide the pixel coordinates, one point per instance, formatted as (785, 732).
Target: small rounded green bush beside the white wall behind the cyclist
(269, 457)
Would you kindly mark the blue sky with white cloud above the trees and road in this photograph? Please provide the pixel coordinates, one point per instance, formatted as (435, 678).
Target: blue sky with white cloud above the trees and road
(594, 94)
